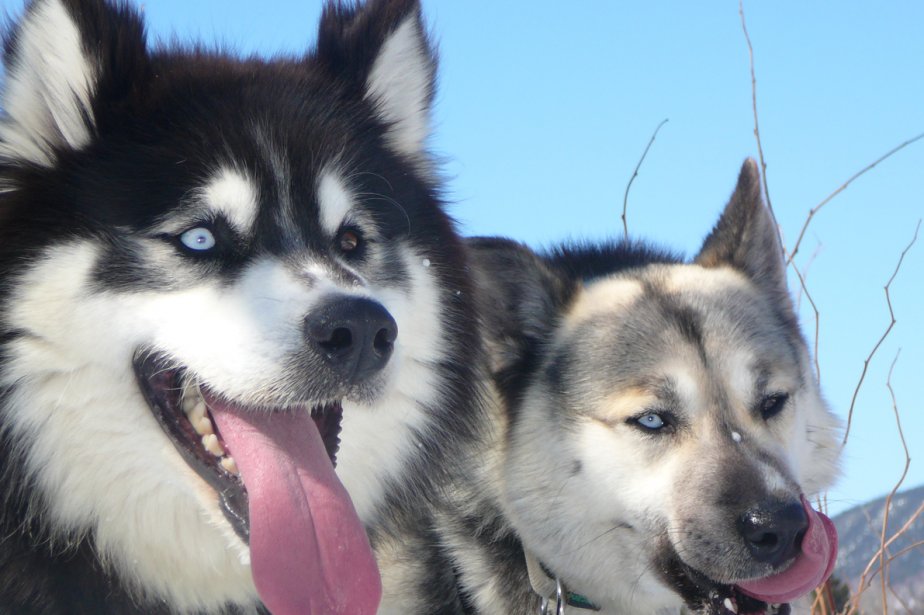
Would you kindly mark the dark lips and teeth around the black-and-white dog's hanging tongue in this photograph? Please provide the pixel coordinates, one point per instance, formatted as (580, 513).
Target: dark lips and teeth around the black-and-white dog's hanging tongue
(182, 408)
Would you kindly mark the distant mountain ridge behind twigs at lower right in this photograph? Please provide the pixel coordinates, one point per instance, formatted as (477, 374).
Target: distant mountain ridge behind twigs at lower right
(859, 534)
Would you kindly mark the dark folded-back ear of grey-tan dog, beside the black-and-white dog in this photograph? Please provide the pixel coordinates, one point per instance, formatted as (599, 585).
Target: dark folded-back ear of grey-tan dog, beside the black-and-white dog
(520, 300)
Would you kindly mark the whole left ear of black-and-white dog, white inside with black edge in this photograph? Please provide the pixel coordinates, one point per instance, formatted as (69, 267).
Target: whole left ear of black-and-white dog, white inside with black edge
(66, 60)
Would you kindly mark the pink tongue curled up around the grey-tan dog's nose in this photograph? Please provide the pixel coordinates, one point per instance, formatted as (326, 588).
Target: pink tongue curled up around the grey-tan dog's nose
(812, 567)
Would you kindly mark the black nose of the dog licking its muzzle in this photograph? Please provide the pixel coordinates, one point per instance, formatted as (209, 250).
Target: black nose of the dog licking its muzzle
(773, 531)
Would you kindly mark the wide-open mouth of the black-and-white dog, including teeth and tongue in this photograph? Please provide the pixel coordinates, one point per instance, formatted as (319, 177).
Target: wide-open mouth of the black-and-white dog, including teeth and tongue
(273, 472)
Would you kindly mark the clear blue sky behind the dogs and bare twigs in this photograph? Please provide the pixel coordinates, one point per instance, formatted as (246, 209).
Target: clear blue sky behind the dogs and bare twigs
(545, 107)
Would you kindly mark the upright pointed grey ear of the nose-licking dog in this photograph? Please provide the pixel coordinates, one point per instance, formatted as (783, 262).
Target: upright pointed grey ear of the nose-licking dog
(746, 236)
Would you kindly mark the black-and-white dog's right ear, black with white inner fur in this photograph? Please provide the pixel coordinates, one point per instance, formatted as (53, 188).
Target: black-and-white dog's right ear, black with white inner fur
(383, 51)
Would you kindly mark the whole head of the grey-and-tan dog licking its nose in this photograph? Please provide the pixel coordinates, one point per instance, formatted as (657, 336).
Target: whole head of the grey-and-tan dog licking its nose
(665, 423)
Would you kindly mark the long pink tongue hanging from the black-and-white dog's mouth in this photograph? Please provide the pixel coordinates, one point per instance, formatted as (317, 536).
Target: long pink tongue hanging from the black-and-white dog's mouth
(308, 550)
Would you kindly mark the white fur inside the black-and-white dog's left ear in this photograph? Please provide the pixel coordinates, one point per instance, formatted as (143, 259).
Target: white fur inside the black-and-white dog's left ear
(48, 88)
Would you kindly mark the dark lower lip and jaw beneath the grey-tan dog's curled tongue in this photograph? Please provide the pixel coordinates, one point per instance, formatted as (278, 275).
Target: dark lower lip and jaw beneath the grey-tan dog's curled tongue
(705, 596)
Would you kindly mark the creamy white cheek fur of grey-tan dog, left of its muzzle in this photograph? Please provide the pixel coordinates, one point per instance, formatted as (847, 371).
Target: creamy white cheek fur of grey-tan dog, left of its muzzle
(585, 502)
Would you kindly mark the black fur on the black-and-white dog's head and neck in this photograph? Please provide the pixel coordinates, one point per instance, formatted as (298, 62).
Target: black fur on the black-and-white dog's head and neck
(160, 122)
